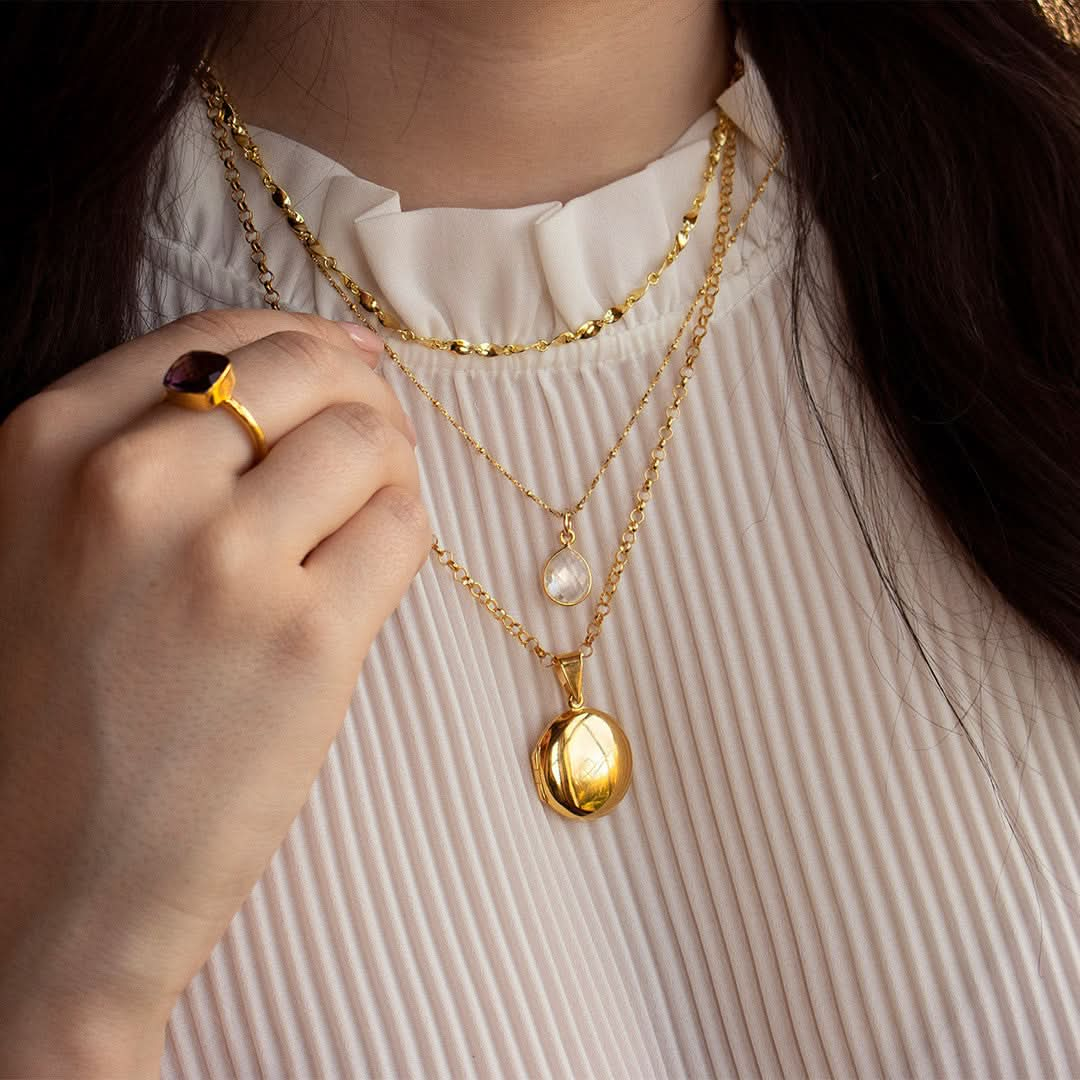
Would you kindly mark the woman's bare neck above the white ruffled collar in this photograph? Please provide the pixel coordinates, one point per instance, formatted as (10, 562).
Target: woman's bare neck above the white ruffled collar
(481, 103)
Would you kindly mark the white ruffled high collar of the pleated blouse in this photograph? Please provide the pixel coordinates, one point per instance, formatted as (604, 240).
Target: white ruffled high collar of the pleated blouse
(521, 274)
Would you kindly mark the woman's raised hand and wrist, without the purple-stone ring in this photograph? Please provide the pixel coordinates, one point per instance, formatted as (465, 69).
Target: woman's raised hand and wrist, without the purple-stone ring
(181, 632)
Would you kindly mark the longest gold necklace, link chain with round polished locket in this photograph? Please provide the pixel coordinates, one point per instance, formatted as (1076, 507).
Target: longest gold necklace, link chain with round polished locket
(583, 762)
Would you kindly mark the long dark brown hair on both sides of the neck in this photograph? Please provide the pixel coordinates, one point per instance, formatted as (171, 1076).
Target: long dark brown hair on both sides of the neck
(937, 144)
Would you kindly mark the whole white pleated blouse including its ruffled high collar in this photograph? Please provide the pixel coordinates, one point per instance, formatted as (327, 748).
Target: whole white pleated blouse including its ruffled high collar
(812, 874)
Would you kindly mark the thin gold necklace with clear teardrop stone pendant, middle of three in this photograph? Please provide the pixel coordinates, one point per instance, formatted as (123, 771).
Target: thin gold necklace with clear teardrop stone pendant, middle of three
(566, 577)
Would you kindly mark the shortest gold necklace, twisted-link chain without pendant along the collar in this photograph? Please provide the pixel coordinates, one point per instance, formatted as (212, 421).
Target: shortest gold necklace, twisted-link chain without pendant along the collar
(591, 328)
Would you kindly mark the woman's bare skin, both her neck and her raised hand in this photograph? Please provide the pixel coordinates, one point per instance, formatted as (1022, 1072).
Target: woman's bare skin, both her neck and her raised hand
(161, 731)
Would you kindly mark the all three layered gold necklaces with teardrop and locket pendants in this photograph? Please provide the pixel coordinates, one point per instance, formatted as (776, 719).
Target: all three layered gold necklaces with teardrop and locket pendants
(583, 762)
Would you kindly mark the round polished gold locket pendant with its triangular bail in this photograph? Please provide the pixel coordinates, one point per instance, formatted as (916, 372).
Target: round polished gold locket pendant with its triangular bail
(583, 762)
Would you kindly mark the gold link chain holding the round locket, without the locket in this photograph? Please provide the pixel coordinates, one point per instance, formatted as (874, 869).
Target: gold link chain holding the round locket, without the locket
(707, 298)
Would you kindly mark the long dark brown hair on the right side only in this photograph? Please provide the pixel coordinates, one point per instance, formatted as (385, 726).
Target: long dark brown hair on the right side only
(954, 133)
